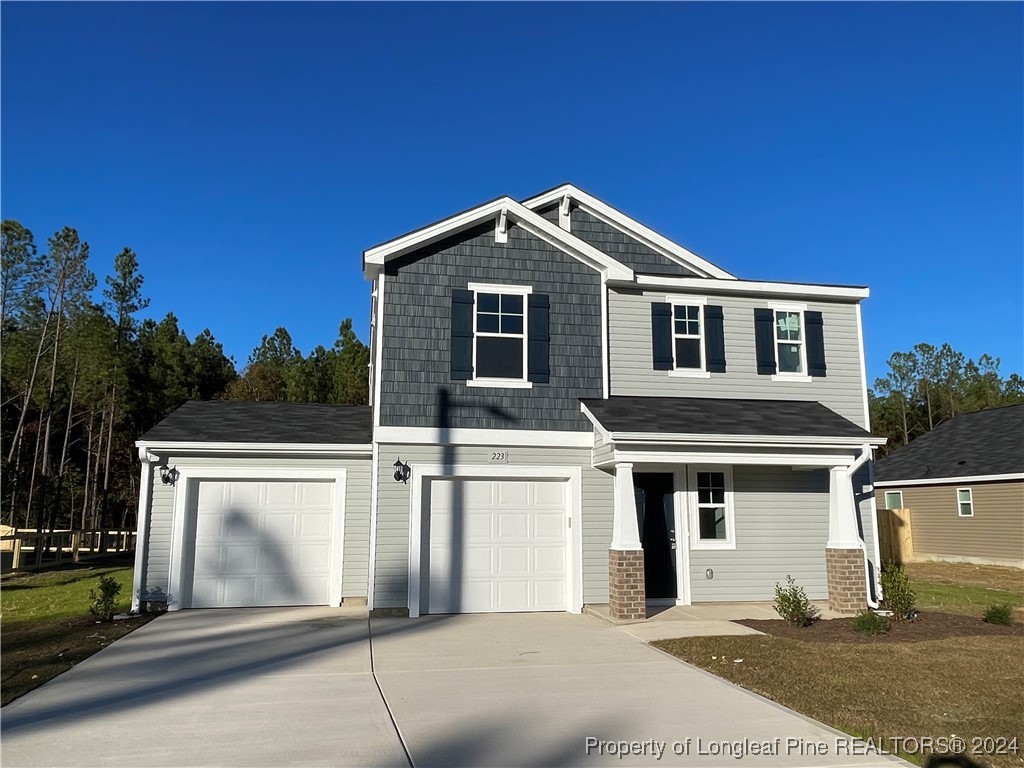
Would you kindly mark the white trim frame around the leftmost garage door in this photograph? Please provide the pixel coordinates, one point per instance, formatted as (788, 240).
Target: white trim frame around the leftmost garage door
(180, 583)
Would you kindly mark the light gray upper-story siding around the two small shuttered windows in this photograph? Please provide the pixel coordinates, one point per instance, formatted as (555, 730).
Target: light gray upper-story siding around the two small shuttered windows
(632, 370)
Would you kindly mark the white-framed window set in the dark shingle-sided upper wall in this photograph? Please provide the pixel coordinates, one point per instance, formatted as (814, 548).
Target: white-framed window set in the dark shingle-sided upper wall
(500, 335)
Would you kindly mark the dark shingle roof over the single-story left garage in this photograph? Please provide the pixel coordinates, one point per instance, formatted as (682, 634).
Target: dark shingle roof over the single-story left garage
(229, 421)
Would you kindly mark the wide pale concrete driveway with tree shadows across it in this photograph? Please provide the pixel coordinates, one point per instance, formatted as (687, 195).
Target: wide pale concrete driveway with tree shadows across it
(322, 687)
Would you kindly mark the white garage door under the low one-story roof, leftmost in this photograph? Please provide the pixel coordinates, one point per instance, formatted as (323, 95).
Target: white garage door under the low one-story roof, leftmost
(264, 543)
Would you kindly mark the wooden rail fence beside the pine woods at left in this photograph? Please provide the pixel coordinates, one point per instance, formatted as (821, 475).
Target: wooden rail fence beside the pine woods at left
(31, 550)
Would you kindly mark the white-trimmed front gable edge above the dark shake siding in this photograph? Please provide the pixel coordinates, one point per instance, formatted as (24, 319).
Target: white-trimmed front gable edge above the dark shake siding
(498, 209)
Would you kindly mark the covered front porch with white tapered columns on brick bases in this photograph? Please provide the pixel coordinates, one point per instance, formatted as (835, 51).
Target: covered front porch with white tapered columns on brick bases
(719, 500)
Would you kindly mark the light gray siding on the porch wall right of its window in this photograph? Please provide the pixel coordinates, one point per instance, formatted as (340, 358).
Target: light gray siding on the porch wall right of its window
(782, 527)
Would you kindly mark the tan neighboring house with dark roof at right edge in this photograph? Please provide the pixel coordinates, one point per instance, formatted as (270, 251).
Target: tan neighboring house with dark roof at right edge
(964, 485)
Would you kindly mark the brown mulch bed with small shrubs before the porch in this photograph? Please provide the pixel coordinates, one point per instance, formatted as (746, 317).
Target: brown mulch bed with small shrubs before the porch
(928, 626)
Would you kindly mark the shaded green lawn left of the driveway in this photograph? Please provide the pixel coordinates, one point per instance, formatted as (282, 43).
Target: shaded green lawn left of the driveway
(48, 628)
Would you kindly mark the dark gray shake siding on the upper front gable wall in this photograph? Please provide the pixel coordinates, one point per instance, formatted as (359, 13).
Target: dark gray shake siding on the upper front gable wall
(417, 333)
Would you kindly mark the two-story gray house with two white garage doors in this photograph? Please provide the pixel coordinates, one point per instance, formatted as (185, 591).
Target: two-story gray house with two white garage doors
(568, 409)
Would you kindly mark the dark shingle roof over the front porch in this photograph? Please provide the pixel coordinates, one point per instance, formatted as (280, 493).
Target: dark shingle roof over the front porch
(721, 416)
